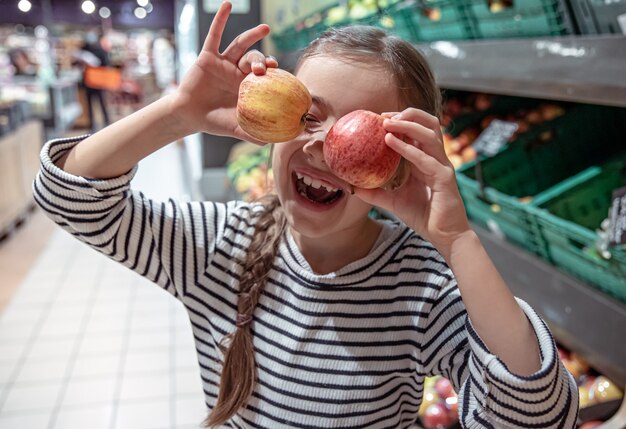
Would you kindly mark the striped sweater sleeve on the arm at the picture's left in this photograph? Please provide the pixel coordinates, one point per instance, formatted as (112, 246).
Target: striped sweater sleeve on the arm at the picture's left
(167, 242)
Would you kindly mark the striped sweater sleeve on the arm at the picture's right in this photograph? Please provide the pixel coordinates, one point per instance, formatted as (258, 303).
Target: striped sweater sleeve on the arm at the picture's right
(490, 395)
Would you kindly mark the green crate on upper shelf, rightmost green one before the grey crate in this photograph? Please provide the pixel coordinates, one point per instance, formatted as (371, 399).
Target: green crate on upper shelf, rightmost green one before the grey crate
(523, 18)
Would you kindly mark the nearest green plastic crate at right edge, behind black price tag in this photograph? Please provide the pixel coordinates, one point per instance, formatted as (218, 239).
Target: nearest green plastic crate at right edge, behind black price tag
(568, 217)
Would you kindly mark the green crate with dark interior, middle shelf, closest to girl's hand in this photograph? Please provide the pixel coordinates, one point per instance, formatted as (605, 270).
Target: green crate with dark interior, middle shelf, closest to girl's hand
(517, 176)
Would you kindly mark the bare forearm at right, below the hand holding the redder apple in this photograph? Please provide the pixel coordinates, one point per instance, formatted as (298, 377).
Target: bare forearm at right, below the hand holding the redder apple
(491, 306)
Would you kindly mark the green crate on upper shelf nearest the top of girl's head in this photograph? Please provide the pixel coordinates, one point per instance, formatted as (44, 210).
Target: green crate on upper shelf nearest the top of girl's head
(441, 20)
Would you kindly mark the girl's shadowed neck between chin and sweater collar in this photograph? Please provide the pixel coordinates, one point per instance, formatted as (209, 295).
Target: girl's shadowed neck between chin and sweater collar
(330, 253)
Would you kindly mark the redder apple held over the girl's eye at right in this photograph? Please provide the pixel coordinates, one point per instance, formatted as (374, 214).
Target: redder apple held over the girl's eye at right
(355, 150)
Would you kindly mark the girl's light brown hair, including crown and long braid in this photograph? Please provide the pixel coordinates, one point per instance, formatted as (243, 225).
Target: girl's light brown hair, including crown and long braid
(416, 87)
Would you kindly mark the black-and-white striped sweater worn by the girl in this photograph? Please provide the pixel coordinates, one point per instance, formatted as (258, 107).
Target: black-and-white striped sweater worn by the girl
(348, 349)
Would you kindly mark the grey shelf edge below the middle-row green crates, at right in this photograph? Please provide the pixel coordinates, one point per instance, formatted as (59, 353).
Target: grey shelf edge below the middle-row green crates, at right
(580, 317)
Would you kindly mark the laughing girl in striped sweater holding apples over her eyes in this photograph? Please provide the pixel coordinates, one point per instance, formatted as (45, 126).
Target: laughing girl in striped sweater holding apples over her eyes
(305, 311)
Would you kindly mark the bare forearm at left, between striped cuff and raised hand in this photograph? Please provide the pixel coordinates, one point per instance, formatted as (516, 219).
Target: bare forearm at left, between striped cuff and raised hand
(116, 149)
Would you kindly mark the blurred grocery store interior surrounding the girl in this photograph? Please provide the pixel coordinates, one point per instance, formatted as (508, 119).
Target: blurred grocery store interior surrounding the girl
(534, 123)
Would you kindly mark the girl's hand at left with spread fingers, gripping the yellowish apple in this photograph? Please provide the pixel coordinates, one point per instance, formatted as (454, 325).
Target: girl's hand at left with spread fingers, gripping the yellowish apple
(206, 99)
